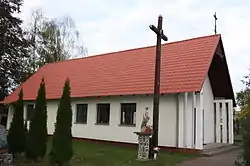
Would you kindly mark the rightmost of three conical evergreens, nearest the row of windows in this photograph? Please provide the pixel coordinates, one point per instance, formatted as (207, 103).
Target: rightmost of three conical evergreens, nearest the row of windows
(62, 150)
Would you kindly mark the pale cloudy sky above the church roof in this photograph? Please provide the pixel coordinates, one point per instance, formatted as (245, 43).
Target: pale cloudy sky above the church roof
(113, 25)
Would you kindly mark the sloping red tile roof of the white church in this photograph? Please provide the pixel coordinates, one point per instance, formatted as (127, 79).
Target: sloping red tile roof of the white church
(184, 65)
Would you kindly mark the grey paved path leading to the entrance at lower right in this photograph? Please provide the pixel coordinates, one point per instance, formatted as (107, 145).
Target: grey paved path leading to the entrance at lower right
(225, 159)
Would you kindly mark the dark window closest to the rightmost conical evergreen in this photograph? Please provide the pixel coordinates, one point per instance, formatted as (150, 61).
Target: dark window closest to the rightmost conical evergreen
(81, 113)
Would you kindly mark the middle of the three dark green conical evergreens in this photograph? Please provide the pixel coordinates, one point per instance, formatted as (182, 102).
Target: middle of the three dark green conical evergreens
(37, 135)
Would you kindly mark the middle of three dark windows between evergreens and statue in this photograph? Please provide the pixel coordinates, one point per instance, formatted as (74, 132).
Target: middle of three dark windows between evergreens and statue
(103, 111)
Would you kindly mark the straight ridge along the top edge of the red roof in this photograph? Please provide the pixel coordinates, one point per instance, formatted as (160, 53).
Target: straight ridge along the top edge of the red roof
(133, 49)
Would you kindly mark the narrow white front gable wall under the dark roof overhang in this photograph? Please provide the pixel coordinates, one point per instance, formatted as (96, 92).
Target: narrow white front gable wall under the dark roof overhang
(208, 106)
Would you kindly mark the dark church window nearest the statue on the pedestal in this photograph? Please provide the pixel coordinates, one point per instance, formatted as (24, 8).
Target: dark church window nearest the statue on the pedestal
(128, 111)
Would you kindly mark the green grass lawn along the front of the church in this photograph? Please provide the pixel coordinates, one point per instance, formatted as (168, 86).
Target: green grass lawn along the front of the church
(99, 154)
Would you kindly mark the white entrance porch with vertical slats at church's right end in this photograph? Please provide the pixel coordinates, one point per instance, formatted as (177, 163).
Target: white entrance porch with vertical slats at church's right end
(204, 122)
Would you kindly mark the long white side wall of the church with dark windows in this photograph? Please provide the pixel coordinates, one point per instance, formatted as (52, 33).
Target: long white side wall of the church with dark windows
(113, 131)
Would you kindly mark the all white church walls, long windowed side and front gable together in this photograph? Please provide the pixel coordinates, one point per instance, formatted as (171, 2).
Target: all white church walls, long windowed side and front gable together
(167, 118)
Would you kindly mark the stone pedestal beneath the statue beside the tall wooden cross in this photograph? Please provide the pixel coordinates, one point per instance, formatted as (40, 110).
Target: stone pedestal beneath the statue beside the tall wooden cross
(143, 145)
